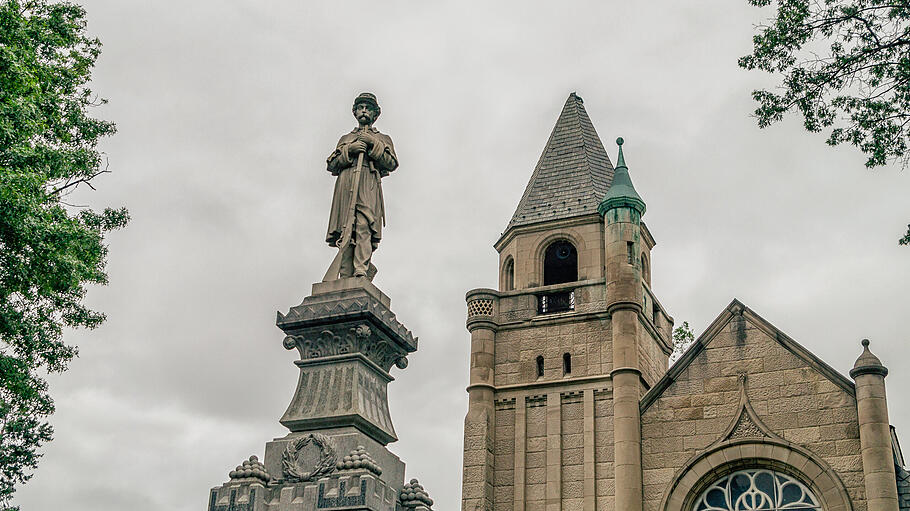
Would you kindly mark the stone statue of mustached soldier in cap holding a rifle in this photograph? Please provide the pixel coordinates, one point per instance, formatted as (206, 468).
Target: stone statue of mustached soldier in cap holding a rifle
(360, 161)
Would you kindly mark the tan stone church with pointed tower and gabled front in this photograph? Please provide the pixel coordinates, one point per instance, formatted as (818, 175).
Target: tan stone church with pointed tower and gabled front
(573, 405)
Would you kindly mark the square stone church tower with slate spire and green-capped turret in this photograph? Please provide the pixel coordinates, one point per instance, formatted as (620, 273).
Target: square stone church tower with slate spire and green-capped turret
(562, 353)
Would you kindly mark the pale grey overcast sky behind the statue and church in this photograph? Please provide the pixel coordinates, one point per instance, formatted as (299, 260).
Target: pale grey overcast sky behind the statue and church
(226, 112)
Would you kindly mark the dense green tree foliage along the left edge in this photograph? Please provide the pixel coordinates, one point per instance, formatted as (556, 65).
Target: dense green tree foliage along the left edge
(49, 250)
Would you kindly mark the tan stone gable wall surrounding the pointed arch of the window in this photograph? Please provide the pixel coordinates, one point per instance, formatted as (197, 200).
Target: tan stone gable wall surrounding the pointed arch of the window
(794, 399)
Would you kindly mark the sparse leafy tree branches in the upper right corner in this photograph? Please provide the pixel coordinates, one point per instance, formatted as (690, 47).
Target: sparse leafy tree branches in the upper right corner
(845, 67)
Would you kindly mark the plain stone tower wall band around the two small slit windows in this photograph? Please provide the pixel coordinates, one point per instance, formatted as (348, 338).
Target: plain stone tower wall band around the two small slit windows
(589, 343)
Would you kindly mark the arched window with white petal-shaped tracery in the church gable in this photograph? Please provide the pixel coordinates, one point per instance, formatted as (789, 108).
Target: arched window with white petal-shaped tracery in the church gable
(749, 490)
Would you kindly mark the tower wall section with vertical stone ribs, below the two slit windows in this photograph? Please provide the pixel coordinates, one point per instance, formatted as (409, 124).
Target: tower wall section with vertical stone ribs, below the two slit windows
(526, 452)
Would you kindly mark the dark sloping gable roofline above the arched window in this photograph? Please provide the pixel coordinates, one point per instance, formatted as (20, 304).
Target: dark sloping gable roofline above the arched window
(736, 308)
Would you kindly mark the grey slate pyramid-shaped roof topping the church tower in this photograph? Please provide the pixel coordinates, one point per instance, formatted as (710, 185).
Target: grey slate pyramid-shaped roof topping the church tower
(573, 173)
